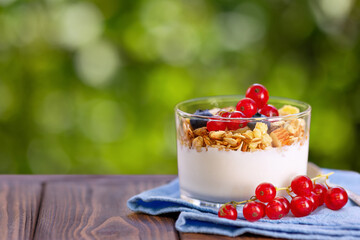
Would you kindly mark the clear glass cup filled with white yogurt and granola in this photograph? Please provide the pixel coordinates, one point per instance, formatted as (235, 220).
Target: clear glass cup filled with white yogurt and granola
(221, 166)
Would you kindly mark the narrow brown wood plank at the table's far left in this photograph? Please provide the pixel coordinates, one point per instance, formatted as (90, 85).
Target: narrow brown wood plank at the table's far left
(19, 205)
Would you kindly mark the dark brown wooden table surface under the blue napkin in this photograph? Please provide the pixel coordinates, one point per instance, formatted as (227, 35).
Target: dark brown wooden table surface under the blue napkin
(83, 207)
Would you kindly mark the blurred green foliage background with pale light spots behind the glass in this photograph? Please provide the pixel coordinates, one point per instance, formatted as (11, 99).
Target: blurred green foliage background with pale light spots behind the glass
(90, 86)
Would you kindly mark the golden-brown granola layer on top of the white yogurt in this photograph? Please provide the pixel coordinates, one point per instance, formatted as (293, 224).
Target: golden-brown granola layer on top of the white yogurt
(264, 136)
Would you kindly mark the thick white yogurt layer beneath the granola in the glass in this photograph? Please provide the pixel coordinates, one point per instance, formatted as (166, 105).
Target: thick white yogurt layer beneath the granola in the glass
(222, 176)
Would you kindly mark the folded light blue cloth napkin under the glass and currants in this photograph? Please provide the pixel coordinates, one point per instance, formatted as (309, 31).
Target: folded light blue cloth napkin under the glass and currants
(321, 224)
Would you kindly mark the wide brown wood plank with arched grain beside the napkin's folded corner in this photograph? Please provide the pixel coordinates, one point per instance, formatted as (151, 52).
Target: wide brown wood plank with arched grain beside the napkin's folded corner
(96, 209)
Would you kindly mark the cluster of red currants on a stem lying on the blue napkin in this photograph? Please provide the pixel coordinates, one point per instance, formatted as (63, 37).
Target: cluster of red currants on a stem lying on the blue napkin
(306, 196)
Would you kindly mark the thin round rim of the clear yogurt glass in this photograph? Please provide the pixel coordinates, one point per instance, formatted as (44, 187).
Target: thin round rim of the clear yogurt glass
(276, 118)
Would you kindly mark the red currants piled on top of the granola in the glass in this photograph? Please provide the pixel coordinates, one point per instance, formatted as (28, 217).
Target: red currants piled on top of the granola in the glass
(253, 105)
